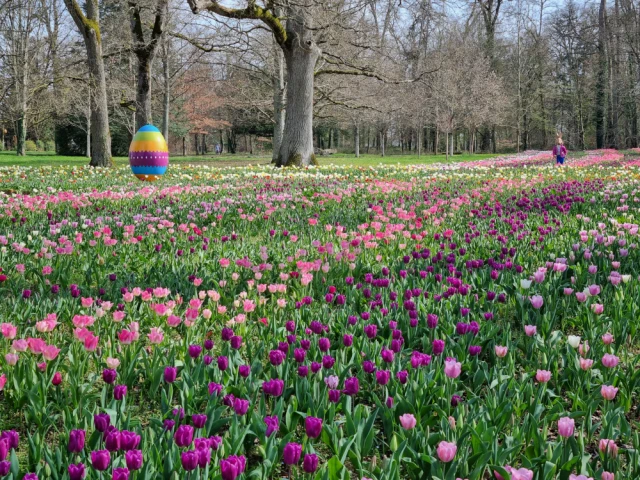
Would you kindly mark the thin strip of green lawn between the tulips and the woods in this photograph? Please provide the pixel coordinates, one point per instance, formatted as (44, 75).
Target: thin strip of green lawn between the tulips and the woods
(49, 158)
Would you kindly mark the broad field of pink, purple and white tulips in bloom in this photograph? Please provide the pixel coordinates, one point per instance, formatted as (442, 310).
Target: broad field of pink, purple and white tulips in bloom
(462, 321)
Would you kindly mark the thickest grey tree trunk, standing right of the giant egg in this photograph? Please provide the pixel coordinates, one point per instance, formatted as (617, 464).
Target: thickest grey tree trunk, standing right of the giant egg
(301, 54)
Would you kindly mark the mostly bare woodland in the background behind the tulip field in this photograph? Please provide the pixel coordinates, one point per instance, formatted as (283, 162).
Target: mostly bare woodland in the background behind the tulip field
(411, 76)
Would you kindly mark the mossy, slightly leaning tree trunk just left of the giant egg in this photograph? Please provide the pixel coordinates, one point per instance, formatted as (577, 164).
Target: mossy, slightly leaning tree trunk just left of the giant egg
(90, 28)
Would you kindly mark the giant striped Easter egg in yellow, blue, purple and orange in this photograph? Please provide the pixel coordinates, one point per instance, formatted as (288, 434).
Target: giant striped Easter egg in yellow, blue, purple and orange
(148, 154)
